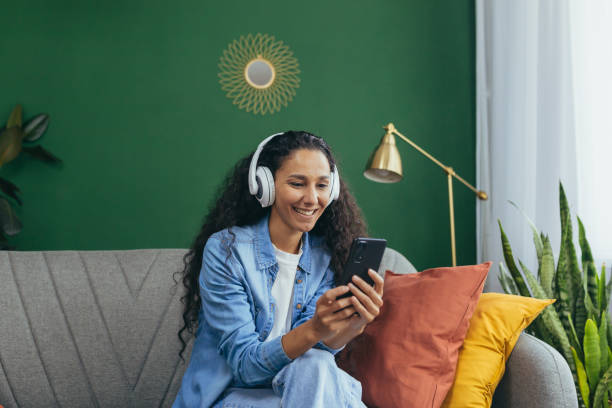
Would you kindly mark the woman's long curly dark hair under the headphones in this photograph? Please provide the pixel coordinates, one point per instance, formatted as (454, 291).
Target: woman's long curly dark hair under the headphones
(233, 205)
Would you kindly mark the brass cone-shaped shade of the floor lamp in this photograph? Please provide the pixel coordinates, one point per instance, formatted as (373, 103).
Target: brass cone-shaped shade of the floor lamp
(385, 164)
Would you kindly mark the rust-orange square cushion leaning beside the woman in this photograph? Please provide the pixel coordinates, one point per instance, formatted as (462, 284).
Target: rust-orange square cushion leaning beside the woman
(407, 357)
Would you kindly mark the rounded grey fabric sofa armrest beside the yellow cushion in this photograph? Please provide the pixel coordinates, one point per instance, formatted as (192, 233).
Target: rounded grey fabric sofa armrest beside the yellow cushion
(536, 376)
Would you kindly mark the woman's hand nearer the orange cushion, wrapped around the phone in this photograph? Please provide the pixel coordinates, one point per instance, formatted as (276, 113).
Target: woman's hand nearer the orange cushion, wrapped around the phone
(365, 303)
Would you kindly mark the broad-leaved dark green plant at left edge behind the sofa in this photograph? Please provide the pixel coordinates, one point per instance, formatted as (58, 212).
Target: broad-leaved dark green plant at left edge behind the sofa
(14, 139)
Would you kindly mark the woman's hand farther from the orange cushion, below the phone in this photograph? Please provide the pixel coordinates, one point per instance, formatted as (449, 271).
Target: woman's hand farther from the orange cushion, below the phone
(331, 313)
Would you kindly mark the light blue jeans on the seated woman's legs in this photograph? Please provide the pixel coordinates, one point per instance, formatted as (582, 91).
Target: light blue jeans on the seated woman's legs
(312, 380)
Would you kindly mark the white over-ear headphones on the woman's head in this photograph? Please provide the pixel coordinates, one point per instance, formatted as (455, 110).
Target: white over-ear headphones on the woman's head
(261, 180)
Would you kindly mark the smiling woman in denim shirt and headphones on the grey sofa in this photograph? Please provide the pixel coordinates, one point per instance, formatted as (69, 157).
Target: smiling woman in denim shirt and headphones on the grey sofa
(259, 282)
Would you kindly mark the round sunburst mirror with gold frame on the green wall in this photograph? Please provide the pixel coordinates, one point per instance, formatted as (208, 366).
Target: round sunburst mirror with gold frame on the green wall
(259, 73)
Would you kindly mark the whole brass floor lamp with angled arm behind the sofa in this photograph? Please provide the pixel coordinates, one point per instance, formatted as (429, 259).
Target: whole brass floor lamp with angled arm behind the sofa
(385, 166)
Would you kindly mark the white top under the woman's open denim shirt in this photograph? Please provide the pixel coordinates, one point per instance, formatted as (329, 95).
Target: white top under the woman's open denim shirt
(282, 291)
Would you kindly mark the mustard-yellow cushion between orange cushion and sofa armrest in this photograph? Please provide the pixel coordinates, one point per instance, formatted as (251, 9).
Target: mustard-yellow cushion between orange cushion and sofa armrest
(494, 329)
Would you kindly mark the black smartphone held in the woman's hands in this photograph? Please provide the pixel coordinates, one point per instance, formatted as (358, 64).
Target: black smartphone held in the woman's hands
(365, 253)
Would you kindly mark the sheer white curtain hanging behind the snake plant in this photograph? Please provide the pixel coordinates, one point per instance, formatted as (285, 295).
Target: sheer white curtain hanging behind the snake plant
(535, 123)
